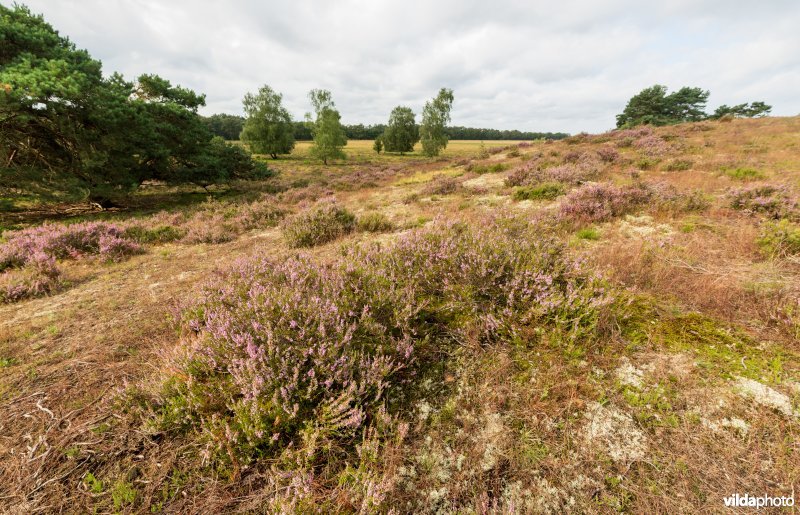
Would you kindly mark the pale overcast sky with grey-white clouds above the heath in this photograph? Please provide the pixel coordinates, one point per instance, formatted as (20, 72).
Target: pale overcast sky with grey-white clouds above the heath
(553, 65)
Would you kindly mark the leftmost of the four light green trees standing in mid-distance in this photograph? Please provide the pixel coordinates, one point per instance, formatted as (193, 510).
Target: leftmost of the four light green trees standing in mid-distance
(268, 128)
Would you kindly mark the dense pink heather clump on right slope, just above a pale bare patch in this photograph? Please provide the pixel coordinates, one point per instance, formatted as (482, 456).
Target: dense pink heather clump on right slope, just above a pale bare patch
(601, 202)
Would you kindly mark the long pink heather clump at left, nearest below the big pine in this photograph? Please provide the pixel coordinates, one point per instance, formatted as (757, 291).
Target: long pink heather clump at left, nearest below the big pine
(66, 241)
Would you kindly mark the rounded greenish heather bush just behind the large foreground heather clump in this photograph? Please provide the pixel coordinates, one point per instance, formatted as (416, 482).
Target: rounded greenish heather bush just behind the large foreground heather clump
(324, 223)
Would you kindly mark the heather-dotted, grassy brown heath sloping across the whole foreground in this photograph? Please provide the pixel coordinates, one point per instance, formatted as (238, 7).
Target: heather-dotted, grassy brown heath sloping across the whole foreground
(604, 324)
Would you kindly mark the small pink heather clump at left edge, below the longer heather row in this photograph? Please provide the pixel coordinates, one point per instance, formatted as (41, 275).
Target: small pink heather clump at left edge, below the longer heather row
(37, 277)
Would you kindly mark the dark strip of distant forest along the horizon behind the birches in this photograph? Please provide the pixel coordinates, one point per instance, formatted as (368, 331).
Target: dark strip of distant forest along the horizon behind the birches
(229, 127)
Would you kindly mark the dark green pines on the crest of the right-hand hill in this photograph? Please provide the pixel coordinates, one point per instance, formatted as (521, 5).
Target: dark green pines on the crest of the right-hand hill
(654, 106)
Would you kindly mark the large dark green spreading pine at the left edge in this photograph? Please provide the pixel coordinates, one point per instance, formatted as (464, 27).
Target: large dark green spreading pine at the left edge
(67, 130)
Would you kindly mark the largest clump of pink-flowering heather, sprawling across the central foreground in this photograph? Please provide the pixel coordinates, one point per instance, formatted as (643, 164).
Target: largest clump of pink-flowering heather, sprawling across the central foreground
(286, 352)
